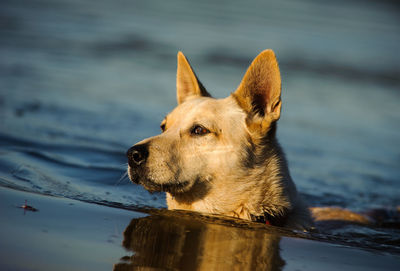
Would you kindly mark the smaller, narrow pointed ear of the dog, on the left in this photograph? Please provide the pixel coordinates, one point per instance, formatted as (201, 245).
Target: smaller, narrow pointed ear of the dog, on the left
(187, 83)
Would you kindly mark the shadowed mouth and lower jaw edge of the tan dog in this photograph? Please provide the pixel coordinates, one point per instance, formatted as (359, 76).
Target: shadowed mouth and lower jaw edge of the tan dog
(152, 186)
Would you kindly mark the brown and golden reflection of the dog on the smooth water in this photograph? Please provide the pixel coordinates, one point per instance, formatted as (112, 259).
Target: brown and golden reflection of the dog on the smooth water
(183, 243)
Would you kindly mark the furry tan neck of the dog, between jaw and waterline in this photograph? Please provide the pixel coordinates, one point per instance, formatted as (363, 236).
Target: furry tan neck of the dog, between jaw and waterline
(235, 196)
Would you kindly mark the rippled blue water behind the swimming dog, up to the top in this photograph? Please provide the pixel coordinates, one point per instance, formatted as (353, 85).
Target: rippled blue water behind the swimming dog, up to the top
(82, 81)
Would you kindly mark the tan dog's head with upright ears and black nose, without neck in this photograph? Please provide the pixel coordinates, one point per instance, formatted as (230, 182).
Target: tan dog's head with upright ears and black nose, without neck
(203, 139)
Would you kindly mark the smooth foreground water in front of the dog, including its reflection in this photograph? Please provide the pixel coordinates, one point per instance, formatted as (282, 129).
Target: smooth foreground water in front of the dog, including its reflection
(116, 239)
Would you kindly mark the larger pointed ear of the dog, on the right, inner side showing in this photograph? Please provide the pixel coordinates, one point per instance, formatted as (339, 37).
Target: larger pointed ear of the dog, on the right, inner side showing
(259, 93)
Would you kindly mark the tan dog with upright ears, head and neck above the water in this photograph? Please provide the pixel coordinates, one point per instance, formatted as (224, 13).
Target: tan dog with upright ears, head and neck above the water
(221, 156)
